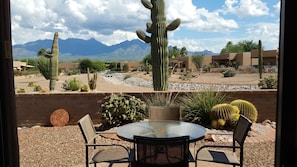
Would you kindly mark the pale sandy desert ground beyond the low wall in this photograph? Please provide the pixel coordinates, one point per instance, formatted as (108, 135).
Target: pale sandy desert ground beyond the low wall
(115, 82)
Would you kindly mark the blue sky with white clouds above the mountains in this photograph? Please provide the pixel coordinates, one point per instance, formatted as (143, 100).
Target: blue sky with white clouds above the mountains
(206, 24)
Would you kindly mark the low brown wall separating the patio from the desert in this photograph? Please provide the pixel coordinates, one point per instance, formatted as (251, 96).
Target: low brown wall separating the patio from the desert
(36, 109)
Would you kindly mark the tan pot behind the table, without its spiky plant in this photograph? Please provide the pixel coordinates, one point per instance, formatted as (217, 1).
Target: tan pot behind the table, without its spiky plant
(163, 113)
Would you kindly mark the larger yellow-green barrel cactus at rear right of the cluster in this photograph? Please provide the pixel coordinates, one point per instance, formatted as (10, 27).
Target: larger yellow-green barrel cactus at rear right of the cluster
(246, 108)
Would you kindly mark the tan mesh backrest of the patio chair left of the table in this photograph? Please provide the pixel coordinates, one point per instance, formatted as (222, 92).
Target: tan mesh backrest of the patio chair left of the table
(86, 126)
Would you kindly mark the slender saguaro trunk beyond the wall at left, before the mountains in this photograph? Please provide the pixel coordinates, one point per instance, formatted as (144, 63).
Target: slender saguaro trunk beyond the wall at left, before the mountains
(54, 62)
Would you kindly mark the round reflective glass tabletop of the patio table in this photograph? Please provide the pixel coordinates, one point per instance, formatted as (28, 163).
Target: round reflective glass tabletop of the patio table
(161, 129)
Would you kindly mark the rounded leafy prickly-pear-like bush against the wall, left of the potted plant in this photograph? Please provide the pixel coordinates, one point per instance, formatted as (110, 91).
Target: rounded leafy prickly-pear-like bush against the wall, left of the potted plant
(120, 109)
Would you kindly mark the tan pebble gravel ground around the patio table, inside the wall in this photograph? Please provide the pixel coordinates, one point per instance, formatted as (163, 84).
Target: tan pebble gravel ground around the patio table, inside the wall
(64, 147)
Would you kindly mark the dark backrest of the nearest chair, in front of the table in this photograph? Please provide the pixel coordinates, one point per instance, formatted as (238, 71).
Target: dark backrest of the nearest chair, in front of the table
(161, 151)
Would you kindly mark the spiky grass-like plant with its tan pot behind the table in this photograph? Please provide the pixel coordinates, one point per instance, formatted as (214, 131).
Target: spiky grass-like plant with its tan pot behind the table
(163, 106)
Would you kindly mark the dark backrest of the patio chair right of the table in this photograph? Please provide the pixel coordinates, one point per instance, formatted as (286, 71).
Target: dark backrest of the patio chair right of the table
(241, 129)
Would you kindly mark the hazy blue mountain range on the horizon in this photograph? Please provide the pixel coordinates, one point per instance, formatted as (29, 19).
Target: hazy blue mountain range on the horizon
(73, 49)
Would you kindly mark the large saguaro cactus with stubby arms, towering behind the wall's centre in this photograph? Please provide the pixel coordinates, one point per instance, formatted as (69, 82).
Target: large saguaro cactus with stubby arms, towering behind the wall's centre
(159, 41)
